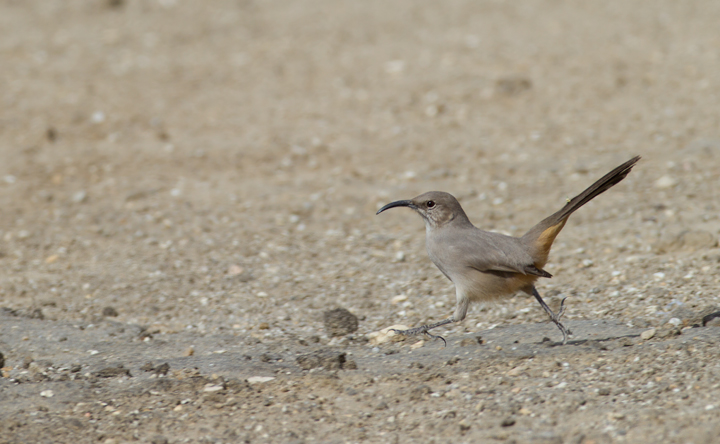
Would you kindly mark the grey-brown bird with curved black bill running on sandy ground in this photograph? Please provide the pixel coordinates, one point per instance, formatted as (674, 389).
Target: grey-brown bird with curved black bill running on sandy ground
(485, 265)
